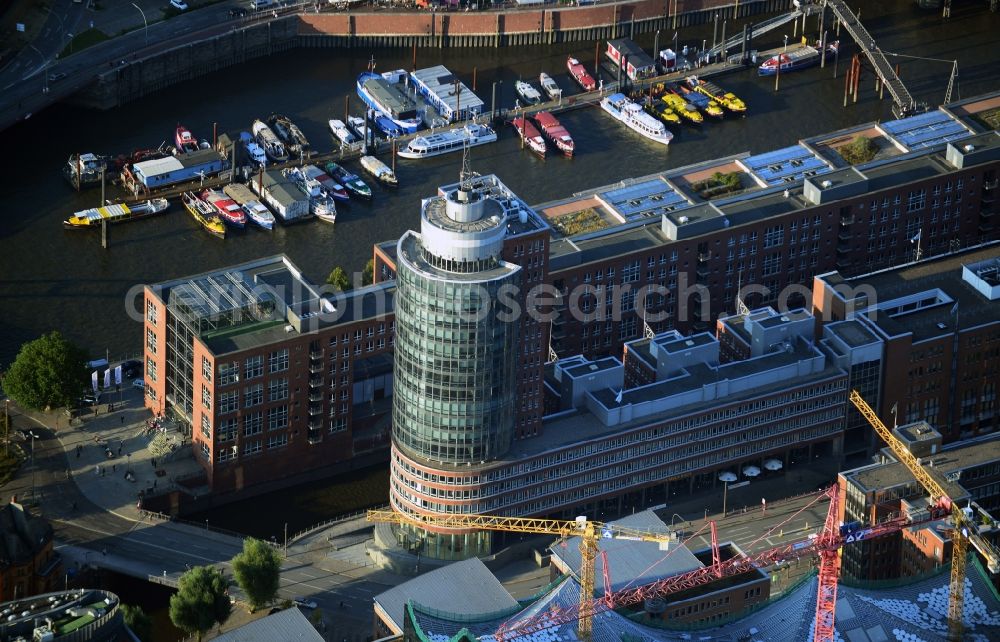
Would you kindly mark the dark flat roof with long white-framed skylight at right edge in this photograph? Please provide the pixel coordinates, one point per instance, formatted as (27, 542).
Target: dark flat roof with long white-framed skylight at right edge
(921, 298)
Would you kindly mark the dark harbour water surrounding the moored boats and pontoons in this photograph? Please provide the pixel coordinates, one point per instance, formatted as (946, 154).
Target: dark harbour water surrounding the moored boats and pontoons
(50, 278)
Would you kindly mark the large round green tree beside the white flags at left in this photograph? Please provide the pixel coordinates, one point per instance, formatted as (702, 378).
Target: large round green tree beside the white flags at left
(48, 372)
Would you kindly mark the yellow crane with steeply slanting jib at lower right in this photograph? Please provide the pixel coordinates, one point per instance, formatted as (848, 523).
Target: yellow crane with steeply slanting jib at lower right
(965, 531)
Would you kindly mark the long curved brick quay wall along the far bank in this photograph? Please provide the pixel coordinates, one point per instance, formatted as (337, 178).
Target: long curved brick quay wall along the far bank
(138, 78)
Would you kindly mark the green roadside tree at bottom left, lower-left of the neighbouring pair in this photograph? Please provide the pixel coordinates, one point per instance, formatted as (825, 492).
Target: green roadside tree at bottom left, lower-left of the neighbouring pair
(201, 600)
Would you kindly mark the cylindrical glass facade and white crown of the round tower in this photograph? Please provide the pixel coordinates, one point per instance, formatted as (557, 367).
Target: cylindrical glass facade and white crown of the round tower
(456, 356)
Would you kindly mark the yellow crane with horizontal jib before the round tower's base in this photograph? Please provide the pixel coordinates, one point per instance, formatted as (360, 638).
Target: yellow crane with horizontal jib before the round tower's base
(588, 531)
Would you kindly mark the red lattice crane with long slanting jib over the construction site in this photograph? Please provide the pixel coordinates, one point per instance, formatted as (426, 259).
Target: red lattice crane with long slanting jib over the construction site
(826, 545)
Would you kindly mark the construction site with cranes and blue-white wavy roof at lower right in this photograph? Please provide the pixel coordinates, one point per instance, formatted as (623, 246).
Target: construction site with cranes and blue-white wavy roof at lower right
(640, 579)
